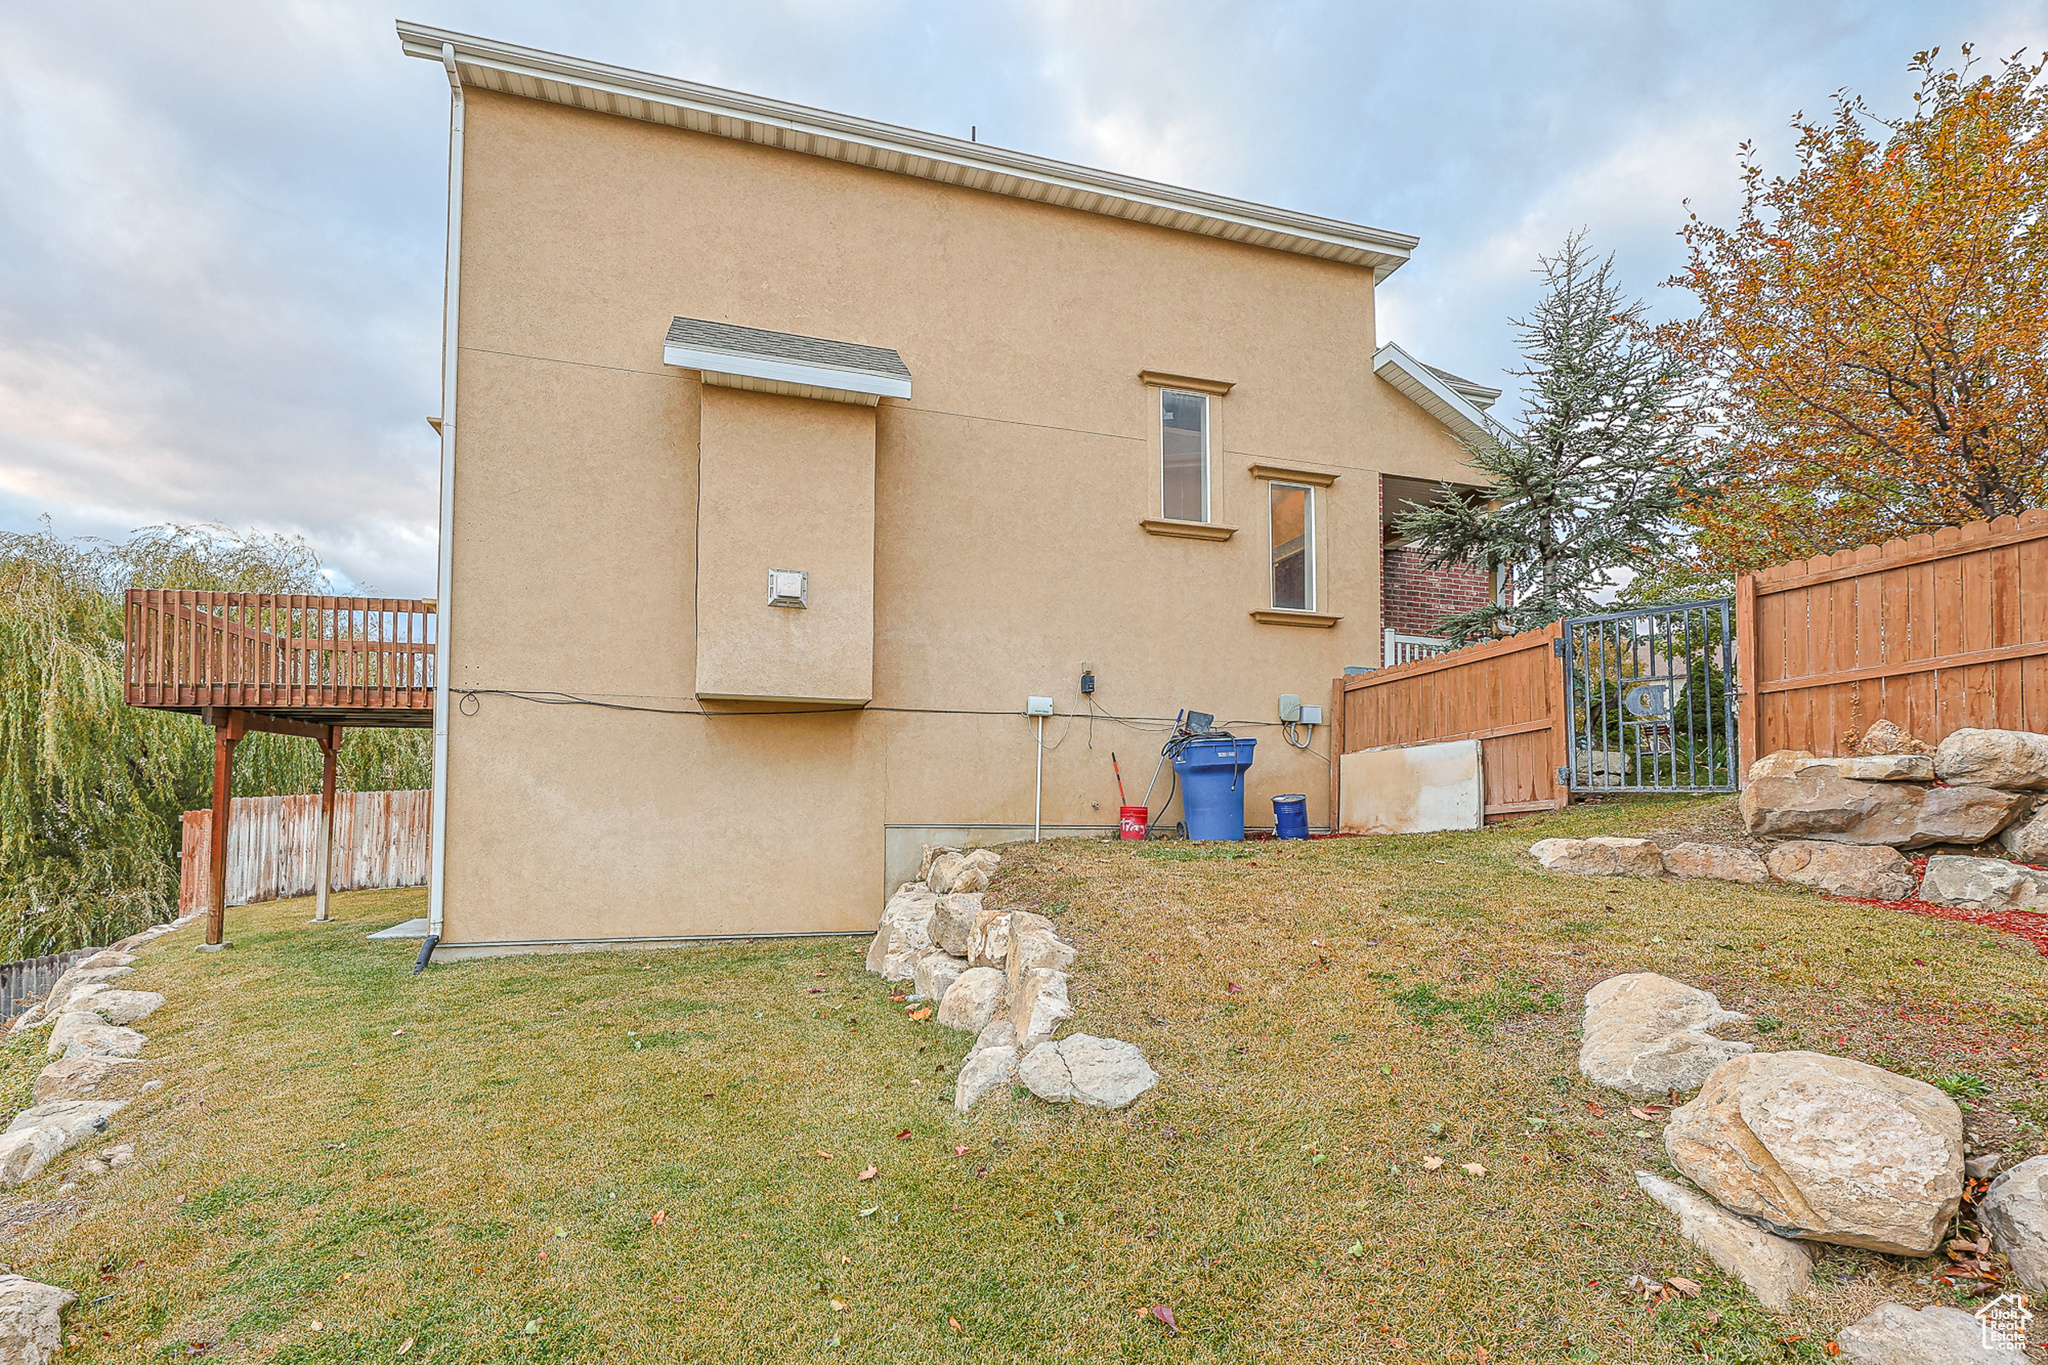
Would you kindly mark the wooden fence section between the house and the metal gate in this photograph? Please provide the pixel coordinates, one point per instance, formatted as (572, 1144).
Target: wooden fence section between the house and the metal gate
(1508, 695)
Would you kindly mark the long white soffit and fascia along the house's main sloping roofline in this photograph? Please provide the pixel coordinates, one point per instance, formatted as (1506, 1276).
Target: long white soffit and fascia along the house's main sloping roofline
(882, 146)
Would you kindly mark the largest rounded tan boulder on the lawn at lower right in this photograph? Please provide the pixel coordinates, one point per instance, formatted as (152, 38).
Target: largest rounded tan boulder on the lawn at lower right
(1826, 1149)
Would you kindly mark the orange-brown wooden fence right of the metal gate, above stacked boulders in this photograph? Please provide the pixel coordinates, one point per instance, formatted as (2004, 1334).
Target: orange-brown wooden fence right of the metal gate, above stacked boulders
(1934, 633)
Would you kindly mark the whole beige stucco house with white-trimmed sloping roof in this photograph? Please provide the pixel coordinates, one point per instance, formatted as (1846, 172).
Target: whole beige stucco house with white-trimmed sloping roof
(787, 453)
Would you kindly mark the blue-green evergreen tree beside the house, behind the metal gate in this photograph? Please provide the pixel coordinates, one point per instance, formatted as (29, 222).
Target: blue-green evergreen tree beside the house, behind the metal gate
(1590, 482)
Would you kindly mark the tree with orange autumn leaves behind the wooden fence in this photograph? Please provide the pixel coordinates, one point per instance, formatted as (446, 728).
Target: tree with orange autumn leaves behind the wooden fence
(1877, 326)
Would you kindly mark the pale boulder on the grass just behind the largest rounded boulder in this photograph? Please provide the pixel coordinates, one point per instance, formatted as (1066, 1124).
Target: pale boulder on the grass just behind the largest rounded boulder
(1648, 1034)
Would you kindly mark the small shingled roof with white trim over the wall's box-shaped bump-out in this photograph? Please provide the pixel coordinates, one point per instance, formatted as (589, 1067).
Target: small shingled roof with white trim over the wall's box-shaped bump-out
(785, 363)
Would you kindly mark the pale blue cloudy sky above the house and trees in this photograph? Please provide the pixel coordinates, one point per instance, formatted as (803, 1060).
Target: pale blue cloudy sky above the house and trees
(222, 224)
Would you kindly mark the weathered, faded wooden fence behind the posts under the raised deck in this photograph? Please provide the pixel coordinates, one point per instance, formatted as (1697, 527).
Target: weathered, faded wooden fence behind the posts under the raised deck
(273, 846)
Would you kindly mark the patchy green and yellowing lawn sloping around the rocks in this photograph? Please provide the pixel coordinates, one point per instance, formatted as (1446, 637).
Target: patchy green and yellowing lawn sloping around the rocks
(652, 1155)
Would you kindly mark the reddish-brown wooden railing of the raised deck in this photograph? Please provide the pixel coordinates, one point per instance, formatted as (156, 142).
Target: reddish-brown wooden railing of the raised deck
(318, 658)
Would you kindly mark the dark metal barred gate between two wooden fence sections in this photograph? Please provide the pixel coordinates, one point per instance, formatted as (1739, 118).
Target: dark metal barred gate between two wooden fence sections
(1650, 697)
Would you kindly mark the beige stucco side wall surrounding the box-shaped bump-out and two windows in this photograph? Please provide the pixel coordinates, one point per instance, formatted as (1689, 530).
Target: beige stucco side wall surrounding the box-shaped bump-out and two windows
(1007, 545)
